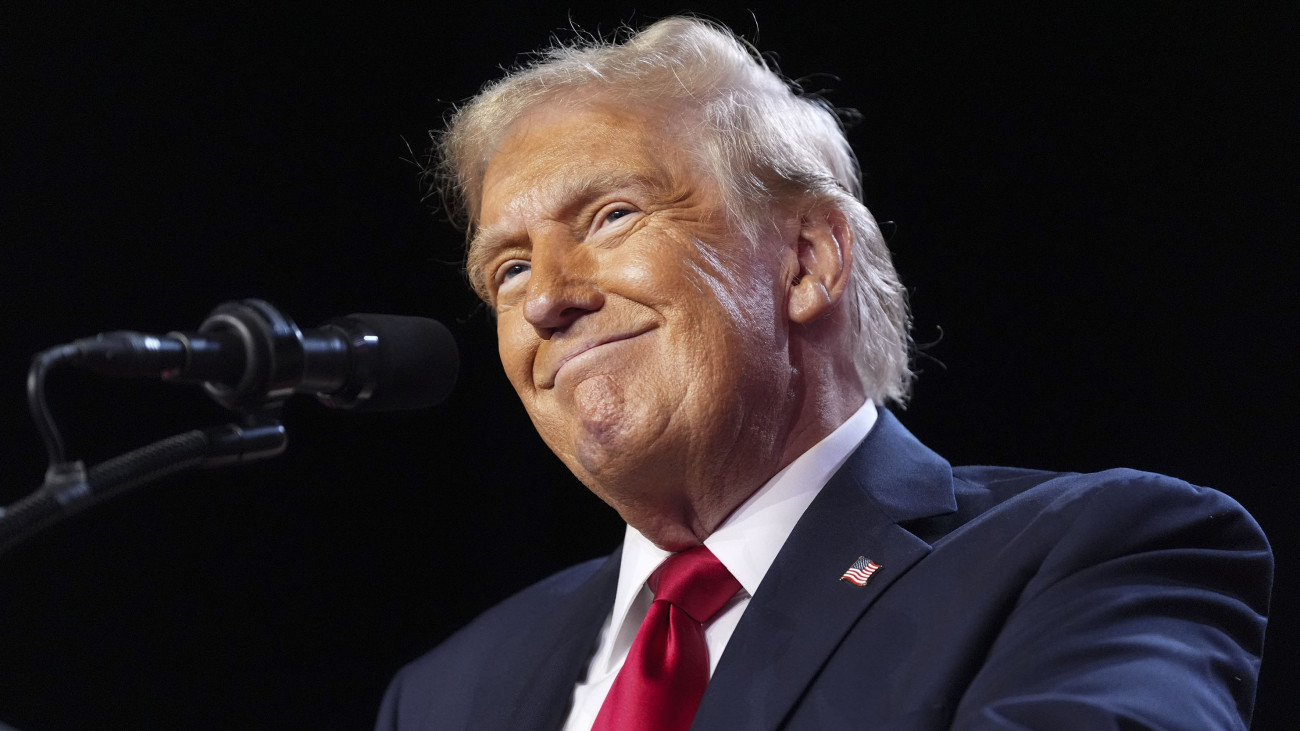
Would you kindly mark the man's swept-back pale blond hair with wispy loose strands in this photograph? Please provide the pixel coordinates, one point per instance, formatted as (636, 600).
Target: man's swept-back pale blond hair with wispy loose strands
(759, 139)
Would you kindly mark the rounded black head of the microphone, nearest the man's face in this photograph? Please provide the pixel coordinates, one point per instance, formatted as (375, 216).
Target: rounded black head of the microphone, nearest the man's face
(413, 362)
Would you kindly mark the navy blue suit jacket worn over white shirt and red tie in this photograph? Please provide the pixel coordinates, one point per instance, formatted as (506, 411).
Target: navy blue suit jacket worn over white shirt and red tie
(1007, 599)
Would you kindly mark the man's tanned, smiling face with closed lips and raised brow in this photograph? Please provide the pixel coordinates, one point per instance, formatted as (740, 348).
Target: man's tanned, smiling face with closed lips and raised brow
(647, 340)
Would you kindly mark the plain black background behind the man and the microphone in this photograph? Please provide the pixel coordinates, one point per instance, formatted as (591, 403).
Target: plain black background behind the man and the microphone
(1094, 209)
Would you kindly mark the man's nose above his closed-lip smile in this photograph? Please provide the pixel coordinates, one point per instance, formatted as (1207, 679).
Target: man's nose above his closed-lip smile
(562, 287)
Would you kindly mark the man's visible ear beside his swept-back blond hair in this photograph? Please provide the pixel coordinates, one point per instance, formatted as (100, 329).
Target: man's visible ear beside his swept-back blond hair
(825, 257)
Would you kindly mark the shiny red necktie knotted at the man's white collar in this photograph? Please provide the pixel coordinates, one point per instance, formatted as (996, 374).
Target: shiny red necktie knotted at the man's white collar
(668, 669)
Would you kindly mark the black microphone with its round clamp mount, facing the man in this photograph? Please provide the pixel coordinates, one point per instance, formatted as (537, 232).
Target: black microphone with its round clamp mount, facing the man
(249, 357)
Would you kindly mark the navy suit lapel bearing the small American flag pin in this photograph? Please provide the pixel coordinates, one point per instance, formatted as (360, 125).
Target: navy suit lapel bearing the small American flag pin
(801, 611)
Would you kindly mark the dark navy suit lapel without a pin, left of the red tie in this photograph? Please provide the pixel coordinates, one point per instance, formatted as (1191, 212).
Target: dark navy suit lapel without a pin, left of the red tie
(543, 682)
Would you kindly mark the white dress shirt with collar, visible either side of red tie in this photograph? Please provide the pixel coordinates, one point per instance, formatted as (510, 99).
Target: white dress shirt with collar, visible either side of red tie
(747, 544)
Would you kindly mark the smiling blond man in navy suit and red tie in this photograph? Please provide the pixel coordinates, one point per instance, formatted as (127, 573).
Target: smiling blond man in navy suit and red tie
(704, 323)
